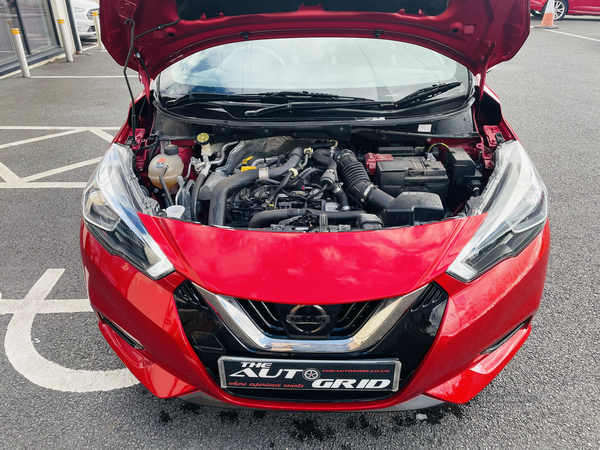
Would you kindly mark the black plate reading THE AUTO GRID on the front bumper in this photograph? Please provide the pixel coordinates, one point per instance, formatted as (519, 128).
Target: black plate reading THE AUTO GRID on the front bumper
(361, 375)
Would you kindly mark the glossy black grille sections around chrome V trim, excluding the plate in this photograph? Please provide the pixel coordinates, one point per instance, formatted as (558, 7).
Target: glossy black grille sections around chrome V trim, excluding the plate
(409, 341)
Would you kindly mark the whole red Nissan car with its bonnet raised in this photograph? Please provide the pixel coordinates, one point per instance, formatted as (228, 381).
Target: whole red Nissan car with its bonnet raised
(315, 205)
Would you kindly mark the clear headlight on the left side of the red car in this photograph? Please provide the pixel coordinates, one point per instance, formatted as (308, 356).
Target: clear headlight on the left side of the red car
(111, 203)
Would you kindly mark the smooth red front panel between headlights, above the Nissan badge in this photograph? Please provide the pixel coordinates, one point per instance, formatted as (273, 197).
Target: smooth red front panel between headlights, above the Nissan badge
(340, 267)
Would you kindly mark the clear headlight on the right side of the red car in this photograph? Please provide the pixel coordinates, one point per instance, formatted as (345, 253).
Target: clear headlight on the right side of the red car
(515, 200)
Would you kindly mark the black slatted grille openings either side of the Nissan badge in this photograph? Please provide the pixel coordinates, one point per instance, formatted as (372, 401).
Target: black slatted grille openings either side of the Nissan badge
(351, 317)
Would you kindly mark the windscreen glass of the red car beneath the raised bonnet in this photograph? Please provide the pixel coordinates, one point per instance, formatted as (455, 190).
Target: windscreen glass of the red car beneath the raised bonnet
(377, 69)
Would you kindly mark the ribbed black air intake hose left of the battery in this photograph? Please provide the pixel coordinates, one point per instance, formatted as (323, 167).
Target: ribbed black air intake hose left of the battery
(356, 181)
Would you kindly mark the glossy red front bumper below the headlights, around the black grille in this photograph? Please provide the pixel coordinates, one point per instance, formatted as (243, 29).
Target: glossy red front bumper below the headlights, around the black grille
(477, 316)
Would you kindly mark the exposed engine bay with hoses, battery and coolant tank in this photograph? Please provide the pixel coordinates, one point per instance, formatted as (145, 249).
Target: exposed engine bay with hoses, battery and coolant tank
(313, 185)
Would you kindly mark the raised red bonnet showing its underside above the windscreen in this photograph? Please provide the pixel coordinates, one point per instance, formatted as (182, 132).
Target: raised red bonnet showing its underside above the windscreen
(476, 33)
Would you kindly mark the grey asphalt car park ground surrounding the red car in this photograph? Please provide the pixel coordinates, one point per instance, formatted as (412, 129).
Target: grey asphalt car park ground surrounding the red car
(545, 398)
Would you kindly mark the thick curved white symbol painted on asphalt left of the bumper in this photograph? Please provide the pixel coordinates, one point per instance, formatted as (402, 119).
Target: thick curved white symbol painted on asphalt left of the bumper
(28, 362)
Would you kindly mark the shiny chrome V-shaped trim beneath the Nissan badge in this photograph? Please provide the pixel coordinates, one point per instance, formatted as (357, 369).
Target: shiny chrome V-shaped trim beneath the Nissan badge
(379, 324)
